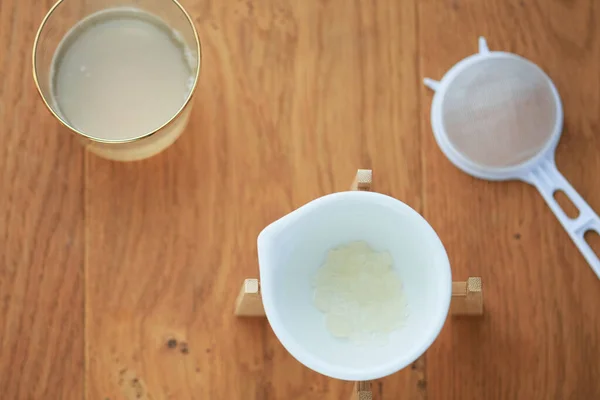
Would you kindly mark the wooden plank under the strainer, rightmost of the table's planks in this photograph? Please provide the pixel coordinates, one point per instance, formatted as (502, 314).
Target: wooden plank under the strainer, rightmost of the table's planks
(539, 337)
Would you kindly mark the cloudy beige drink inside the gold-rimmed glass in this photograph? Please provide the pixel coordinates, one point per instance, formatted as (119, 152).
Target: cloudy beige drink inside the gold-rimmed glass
(121, 73)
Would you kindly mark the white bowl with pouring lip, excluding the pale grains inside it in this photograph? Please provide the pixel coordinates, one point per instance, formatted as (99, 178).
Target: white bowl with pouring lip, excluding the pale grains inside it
(291, 250)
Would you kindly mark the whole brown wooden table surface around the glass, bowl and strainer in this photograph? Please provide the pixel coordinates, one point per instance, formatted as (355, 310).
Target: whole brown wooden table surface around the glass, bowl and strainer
(117, 280)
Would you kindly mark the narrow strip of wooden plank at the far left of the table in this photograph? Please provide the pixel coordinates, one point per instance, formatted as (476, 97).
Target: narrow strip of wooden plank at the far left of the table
(41, 229)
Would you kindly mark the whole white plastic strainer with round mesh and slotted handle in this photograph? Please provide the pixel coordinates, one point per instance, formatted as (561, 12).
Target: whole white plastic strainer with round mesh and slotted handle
(498, 116)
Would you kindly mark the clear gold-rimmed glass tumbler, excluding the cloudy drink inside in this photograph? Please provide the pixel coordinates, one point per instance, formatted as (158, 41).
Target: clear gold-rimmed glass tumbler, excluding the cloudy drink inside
(66, 14)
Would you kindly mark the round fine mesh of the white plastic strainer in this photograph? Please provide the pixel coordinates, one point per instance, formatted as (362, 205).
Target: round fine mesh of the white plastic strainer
(499, 112)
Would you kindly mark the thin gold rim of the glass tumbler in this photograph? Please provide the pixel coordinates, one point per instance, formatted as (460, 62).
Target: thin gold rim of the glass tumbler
(115, 141)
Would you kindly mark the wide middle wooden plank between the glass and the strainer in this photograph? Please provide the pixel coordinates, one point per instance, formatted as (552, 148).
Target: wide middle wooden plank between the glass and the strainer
(293, 97)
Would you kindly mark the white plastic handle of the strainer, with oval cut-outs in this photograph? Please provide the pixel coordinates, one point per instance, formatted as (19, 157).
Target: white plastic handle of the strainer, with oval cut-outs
(547, 179)
